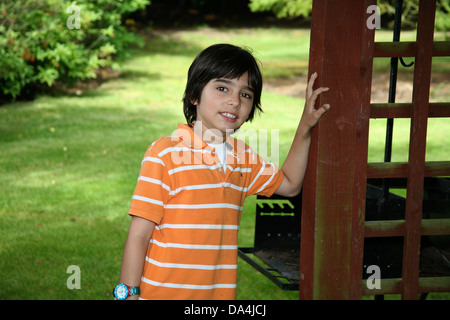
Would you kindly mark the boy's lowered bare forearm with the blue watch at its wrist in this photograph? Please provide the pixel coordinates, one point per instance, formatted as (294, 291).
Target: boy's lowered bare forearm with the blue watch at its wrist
(134, 252)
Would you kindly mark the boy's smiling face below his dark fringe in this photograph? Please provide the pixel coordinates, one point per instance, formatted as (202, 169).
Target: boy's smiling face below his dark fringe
(224, 105)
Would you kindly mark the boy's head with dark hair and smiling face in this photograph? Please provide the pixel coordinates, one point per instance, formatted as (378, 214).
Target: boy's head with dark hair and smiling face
(235, 71)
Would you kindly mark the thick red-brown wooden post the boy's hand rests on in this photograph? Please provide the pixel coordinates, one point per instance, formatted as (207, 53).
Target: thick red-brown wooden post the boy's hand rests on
(334, 192)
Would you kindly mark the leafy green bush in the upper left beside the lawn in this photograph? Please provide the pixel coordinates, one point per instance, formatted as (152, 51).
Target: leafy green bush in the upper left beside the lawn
(43, 41)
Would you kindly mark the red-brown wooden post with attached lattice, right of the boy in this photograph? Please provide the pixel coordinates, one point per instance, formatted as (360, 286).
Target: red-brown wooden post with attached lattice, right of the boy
(333, 225)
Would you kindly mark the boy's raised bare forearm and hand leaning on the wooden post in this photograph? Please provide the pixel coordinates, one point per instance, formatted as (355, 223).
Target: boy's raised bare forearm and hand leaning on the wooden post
(294, 167)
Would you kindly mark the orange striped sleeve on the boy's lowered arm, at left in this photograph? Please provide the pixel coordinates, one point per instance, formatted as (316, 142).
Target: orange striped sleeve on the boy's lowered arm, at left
(152, 188)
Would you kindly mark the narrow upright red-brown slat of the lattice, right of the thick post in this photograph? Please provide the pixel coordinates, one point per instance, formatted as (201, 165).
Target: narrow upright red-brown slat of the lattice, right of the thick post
(417, 146)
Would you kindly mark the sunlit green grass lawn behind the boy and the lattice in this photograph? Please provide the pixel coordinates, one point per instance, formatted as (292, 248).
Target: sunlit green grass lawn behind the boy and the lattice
(69, 163)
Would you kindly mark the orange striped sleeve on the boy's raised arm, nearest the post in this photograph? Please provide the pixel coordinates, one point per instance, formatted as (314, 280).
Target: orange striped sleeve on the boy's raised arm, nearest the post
(265, 176)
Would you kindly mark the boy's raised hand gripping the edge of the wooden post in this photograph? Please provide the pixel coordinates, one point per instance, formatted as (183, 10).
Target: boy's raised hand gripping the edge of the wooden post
(311, 115)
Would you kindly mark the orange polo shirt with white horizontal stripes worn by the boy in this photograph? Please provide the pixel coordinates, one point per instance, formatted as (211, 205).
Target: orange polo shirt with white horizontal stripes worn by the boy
(197, 209)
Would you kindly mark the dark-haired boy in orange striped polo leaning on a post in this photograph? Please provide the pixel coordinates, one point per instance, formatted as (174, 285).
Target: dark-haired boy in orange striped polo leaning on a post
(186, 208)
